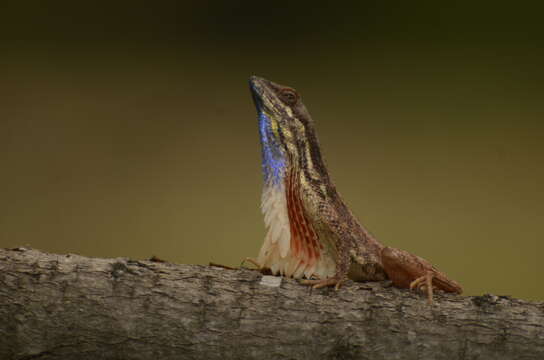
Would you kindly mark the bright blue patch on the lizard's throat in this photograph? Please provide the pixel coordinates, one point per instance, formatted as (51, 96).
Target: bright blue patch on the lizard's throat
(273, 158)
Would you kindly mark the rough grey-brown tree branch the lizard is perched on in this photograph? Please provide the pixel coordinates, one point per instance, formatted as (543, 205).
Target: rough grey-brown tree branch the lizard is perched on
(73, 307)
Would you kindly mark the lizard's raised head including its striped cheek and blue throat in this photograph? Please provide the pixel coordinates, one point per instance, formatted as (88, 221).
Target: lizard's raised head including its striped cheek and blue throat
(285, 126)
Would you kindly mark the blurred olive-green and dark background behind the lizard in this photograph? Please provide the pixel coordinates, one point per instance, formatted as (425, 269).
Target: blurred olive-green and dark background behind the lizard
(127, 129)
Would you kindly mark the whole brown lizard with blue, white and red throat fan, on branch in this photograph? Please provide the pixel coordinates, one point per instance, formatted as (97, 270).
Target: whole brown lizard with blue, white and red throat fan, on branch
(311, 231)
